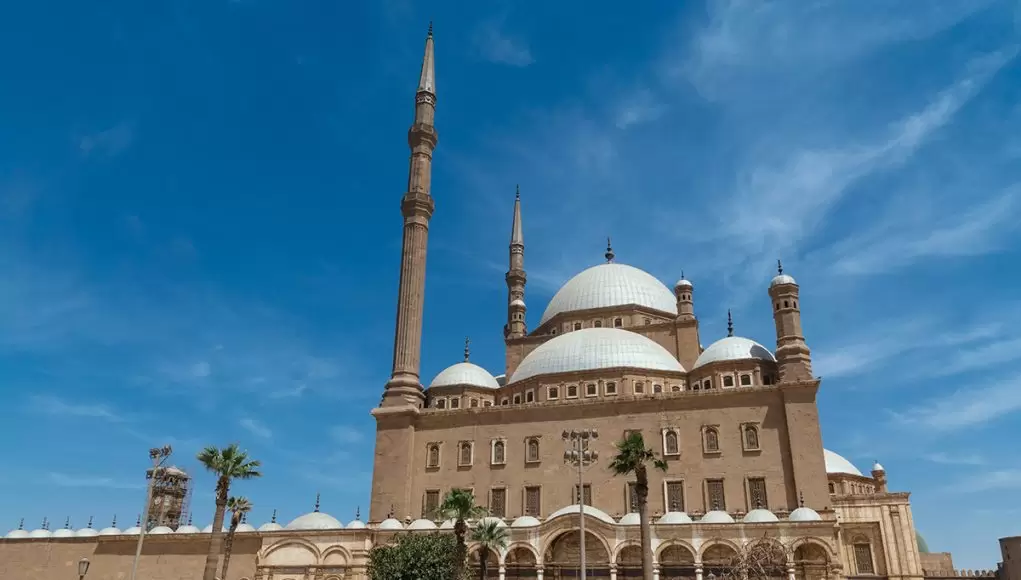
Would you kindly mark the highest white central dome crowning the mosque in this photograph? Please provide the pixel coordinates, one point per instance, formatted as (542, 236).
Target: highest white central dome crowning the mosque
(611, 285)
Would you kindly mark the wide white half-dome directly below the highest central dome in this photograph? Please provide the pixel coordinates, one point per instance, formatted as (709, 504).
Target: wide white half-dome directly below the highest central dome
(596, 349)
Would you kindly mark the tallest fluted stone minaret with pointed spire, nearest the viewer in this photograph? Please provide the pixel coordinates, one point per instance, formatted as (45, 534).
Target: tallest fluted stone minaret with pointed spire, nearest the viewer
(405, 388)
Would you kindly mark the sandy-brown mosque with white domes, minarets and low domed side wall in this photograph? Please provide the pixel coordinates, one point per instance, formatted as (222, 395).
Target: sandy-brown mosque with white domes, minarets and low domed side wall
(616, 351)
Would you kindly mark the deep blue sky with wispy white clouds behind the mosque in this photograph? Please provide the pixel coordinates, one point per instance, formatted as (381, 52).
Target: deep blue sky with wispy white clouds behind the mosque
(200, 223)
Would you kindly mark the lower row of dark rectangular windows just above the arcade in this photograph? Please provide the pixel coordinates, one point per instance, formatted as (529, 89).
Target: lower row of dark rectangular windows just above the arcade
(673, 498)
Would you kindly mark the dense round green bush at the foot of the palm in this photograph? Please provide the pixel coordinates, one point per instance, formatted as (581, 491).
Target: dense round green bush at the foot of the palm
(415, 557)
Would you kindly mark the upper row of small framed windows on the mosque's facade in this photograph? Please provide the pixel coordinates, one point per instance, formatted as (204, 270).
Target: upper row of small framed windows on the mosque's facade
(670, 442)
